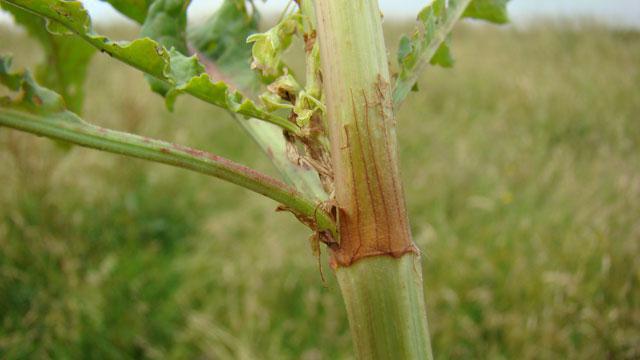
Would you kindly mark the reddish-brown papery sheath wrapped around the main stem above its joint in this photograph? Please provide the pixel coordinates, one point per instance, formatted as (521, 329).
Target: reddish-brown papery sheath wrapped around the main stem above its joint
(373, 218)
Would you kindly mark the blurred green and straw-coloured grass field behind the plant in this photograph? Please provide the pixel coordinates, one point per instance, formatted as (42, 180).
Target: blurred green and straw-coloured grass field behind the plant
(522, 170)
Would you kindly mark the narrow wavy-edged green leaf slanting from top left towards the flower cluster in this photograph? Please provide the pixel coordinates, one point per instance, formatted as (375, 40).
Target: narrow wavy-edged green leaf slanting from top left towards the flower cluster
(154, 59)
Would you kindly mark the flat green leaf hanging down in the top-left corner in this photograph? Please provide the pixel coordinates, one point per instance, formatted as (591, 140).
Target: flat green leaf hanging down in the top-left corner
(66, 58)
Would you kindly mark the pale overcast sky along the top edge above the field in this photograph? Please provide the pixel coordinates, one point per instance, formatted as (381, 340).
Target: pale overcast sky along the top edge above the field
(615, 12)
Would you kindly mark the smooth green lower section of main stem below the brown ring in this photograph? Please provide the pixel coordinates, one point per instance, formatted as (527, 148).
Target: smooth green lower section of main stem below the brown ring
(377, 292)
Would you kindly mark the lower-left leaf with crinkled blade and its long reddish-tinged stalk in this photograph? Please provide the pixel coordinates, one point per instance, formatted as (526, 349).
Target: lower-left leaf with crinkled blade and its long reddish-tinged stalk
(42, 112)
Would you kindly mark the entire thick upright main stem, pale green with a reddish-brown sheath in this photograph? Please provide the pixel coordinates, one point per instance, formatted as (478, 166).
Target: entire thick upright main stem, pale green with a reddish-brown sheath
(377, 263)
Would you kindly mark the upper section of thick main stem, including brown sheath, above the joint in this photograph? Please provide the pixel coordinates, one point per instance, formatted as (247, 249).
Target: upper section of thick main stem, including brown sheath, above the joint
(372, 217)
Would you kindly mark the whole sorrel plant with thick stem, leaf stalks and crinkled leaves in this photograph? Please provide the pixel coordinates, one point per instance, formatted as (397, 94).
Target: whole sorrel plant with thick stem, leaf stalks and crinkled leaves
(329, 132)
